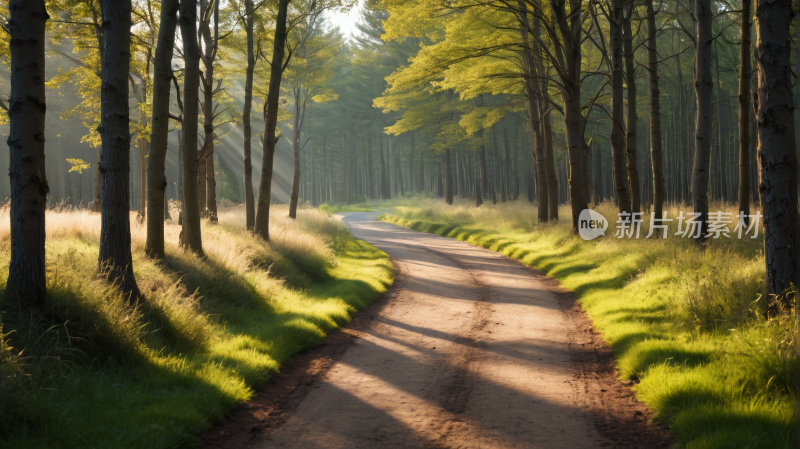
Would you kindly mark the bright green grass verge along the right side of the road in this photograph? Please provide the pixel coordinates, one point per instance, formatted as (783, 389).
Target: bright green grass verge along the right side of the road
(688, 326)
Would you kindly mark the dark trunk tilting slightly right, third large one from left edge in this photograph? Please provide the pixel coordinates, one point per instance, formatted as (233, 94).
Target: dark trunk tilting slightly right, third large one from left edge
(159, 137)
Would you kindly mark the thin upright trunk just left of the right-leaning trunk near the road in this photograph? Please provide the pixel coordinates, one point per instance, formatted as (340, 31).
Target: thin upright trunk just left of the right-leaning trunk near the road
(250, 207)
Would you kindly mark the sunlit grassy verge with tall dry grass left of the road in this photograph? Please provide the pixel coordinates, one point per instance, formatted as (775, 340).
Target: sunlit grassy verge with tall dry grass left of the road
(95, 373)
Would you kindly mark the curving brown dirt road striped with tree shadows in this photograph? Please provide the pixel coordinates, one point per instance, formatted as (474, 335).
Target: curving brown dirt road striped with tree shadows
(469, 349)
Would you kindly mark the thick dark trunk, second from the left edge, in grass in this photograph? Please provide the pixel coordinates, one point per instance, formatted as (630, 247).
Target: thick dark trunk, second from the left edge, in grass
(115, 259)
